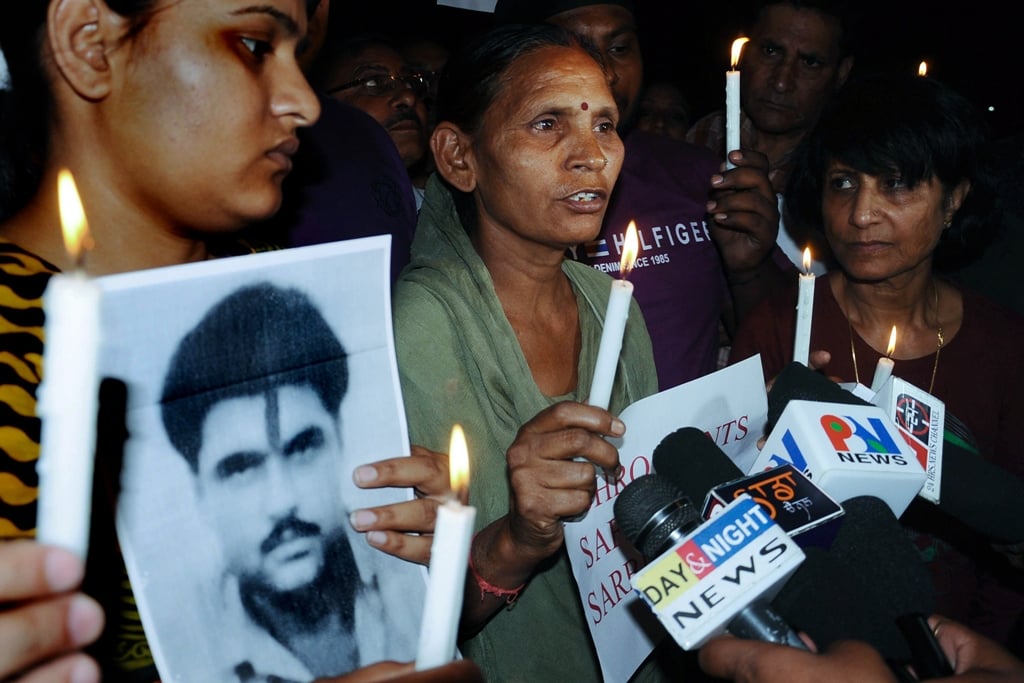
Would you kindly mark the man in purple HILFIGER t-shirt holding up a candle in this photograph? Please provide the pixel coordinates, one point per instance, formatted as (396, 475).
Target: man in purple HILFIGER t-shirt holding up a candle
(706, 235)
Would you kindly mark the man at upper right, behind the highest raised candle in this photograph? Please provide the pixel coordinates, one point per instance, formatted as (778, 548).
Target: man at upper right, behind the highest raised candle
(800, 54)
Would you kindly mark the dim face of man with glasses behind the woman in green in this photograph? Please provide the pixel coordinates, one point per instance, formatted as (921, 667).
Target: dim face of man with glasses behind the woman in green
(370, 74)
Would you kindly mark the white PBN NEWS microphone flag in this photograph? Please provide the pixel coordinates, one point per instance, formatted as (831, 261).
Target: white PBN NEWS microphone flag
(847, 451)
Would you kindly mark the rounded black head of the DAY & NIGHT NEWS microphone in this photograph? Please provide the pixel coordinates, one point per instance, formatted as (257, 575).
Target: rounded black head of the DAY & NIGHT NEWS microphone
(651, 511)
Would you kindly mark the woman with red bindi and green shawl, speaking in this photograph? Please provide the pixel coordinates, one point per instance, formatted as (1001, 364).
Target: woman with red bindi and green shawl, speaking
(497, 331)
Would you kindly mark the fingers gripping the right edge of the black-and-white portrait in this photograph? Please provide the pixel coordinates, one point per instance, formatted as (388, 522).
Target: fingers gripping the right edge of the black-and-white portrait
(404, 530)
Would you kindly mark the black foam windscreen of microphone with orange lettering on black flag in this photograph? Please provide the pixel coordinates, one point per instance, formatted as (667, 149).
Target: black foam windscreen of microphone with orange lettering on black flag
(691, 460)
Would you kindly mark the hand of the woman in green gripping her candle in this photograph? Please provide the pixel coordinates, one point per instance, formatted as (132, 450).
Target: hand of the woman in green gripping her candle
(551, 472)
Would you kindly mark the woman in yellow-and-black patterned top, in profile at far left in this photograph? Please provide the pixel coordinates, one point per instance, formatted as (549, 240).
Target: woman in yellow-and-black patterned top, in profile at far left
(179, 120)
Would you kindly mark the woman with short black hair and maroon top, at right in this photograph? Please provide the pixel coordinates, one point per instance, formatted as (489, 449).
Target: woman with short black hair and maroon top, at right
(893, 177)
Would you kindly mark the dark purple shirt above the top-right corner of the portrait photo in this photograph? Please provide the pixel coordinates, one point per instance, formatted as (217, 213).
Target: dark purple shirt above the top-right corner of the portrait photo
(349, 182)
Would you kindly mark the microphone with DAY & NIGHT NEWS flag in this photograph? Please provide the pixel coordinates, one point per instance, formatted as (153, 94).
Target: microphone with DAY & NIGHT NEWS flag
(702, 580)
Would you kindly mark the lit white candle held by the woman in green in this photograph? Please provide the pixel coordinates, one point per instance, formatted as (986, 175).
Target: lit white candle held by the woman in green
(615, 324)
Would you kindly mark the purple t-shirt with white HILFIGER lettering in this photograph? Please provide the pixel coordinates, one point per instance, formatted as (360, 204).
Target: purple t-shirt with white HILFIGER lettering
(678, 279)
